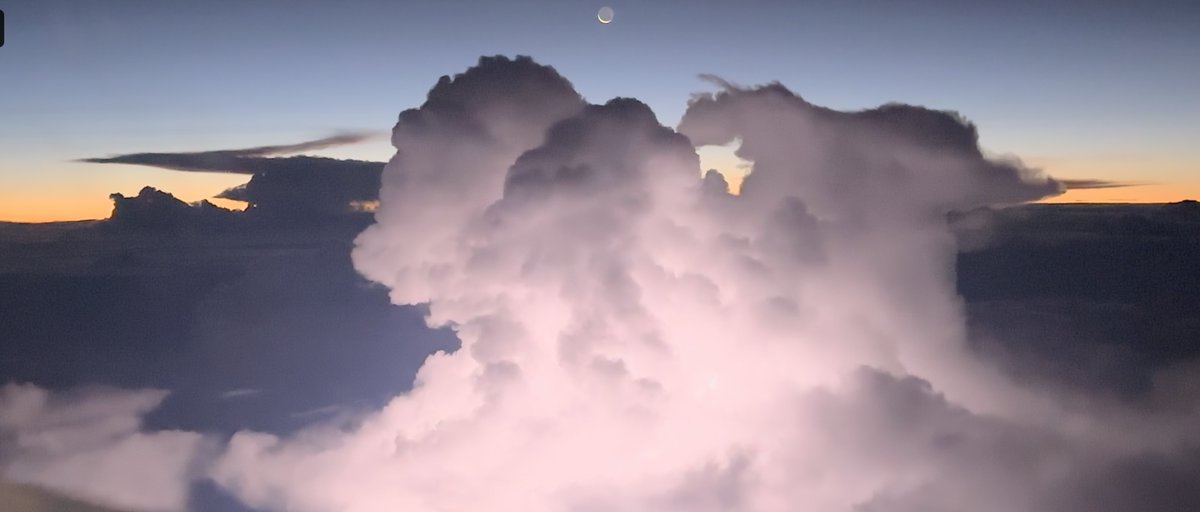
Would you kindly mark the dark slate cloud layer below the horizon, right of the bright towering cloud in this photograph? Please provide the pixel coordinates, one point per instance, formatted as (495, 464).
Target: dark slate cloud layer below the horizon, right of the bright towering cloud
(1095, 298)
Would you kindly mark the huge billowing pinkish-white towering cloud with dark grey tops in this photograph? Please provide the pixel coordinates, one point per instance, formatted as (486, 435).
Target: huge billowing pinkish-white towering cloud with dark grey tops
(634, 339)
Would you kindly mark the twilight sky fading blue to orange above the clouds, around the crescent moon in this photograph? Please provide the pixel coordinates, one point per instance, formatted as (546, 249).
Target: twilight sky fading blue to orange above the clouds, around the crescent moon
(1084, 91)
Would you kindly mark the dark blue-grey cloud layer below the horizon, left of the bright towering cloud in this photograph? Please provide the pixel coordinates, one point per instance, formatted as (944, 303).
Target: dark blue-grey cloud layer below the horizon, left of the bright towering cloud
(249, 322)
